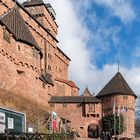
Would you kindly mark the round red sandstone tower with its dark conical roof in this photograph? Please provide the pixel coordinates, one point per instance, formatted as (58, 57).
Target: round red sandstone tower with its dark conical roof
(118, 95)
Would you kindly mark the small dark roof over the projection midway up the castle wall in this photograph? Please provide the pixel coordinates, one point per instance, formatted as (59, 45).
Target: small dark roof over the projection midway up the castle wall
(46, 78)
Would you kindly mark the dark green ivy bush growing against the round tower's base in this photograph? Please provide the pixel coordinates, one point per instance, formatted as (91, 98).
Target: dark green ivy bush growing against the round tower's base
(110, 120)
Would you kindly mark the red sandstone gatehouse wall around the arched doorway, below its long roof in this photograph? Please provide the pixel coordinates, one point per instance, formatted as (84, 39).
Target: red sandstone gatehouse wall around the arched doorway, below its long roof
(79, 122)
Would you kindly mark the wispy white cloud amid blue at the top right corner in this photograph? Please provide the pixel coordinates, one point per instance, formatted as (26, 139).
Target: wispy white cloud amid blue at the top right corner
(120, 8)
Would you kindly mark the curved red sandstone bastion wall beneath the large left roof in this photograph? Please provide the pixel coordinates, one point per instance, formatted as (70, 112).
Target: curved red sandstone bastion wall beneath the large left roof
(20, 73)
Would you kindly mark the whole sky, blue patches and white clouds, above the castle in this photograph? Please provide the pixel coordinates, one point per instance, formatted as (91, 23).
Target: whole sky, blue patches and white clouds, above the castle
(95, 34)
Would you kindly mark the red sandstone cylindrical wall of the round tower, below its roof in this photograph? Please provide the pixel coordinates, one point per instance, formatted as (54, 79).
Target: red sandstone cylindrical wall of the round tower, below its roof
(122, 101)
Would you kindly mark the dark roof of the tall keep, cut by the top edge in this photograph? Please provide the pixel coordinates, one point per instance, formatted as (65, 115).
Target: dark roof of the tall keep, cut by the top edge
(33, 3)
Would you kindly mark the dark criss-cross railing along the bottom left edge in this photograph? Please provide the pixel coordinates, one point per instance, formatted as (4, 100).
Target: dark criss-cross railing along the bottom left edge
(36, 136)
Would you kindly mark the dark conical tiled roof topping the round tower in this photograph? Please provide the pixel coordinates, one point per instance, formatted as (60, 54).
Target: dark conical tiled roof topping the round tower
(117, 85)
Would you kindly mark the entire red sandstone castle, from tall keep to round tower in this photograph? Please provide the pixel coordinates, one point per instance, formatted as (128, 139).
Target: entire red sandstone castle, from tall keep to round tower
(33, 67)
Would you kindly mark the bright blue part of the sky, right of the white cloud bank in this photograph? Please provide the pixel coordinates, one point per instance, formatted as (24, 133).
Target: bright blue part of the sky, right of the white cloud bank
(96, 17)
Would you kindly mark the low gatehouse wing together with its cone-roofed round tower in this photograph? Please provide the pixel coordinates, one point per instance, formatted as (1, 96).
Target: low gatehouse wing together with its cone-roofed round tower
(85, 112)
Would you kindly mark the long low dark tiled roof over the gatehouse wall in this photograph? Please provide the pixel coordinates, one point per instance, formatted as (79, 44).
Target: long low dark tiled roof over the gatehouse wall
(73, 99)
